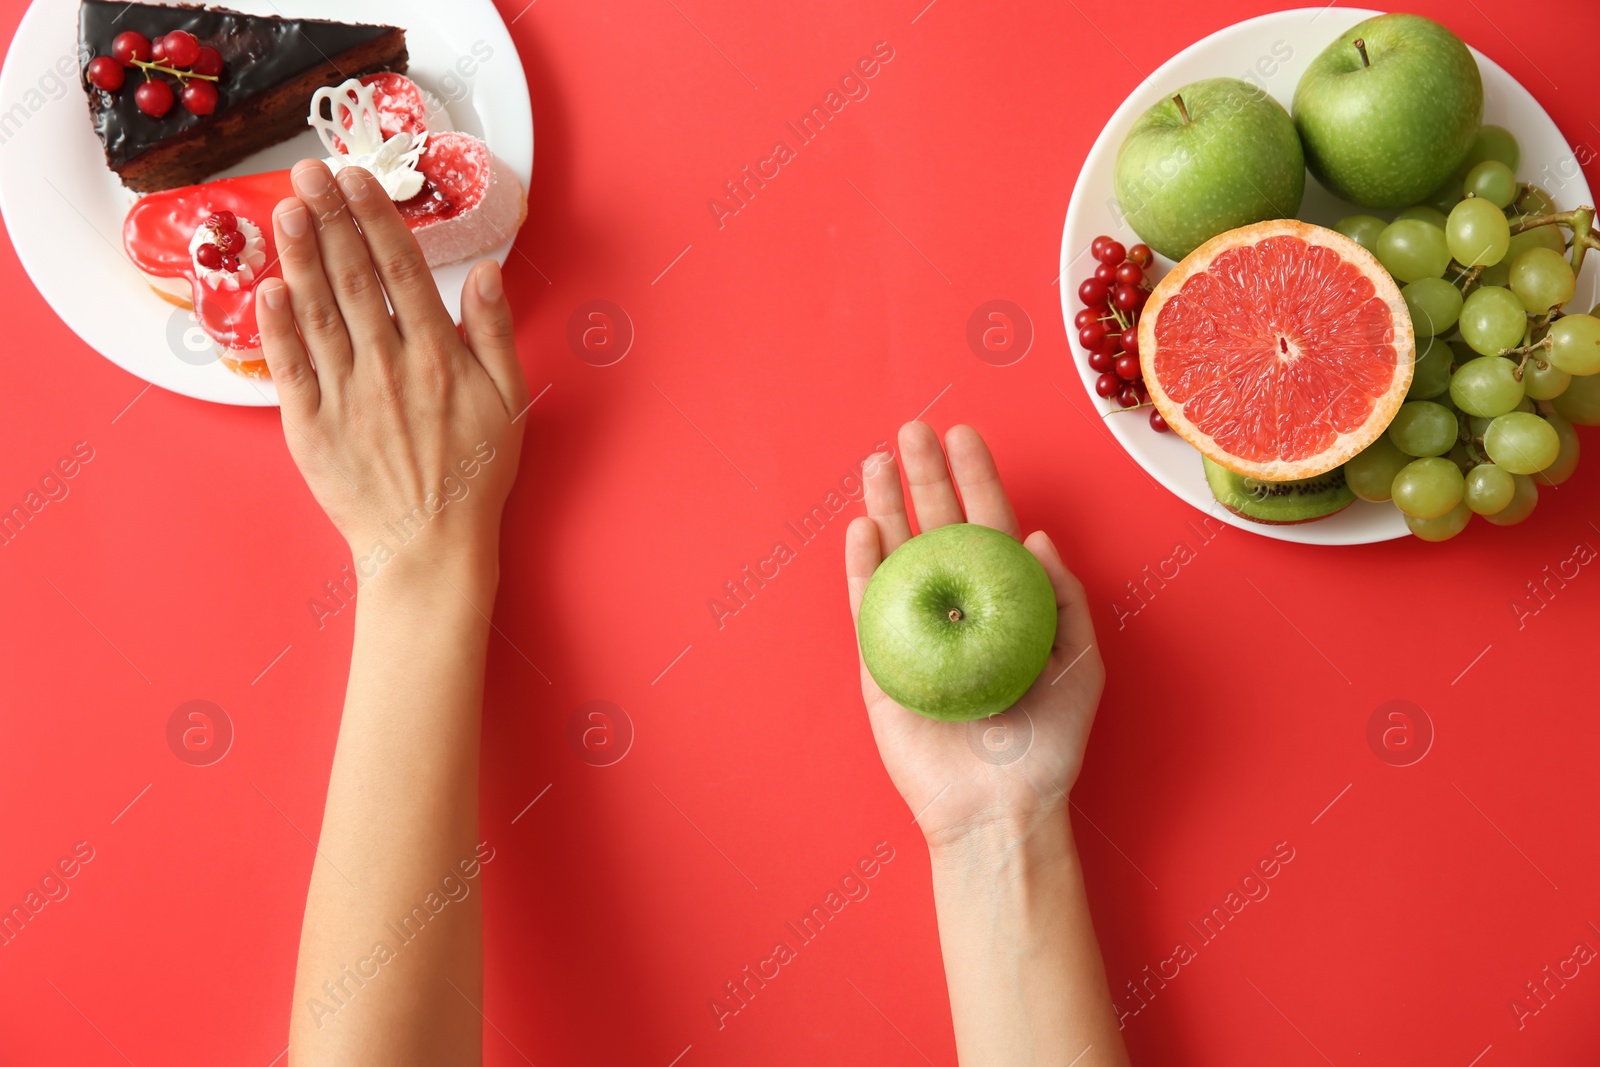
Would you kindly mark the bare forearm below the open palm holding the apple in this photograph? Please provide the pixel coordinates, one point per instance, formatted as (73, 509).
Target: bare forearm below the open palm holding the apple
(1028, 986)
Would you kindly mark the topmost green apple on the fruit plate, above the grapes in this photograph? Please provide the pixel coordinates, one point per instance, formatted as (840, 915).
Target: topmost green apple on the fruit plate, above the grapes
(1390, 111)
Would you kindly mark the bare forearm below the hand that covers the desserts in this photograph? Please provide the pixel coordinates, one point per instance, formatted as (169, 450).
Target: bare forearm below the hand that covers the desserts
(394, 916)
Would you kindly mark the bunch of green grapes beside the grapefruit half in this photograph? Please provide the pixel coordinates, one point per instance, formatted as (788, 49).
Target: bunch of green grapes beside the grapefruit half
(1505, 367)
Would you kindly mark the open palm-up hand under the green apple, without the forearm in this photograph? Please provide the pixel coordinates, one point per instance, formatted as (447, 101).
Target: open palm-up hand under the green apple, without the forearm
(1014, 770)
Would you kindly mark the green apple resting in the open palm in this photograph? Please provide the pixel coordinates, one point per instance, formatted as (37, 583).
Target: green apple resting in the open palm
(958, 623)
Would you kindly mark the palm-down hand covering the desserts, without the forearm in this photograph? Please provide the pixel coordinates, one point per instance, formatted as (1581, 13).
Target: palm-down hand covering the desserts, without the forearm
(407, 434)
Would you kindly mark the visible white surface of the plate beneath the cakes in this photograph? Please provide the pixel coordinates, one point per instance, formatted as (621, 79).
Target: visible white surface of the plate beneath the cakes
(65, 207)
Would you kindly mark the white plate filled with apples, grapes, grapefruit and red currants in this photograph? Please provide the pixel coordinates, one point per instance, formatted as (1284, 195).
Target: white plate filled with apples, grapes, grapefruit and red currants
(1332, 278)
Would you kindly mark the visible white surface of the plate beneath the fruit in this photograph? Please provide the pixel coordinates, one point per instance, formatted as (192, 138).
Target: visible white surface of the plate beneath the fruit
(1273, 52)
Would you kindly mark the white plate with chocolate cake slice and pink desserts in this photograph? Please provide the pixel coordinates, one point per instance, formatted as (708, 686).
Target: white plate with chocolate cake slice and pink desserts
(140, 201)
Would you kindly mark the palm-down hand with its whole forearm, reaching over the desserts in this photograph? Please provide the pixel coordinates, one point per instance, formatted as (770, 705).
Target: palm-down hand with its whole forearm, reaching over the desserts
(409, 438)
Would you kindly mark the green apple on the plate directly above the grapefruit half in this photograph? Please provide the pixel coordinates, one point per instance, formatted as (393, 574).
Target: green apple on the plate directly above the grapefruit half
(1215, 156)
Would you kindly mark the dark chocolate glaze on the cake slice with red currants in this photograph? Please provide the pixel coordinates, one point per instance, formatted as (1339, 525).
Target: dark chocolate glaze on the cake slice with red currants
(260, 54)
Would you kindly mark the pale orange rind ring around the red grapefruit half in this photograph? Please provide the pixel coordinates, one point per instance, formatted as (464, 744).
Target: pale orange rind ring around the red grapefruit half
(1345, 444)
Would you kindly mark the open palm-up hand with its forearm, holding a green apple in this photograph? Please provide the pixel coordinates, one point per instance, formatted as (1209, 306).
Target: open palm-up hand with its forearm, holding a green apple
(1020, 957)
